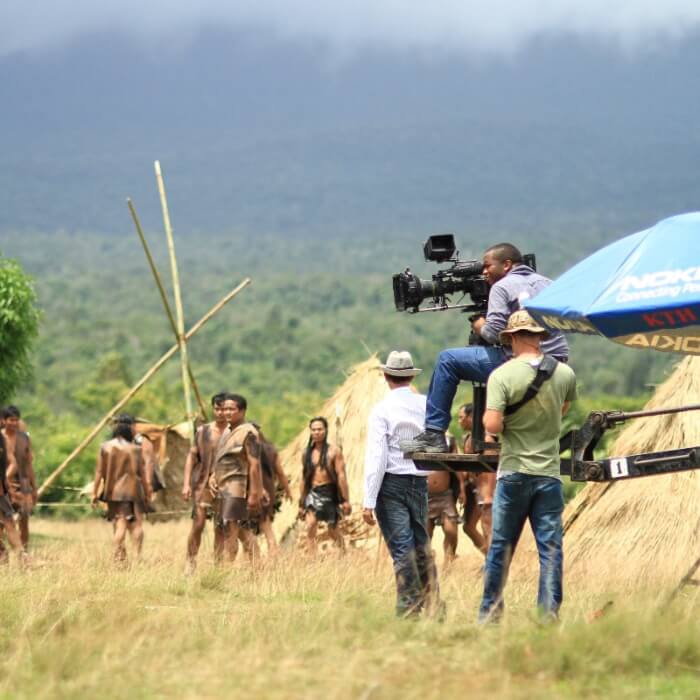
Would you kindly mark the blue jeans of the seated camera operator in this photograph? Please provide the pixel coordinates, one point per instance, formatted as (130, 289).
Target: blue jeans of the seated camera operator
(469, 364)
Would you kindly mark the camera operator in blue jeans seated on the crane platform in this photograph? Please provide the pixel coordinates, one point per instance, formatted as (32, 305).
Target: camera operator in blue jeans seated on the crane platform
(511, 282)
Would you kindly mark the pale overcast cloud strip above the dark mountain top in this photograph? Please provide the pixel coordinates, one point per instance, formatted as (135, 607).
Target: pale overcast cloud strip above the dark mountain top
(464, 26)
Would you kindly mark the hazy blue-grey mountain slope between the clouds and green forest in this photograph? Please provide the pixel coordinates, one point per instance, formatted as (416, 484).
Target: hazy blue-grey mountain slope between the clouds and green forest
(259, 135)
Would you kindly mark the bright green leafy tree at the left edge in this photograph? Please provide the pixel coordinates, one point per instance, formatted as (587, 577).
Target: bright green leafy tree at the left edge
(19, 325)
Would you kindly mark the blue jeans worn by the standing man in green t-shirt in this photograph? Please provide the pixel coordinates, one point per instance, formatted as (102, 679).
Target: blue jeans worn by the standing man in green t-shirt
(520, 497)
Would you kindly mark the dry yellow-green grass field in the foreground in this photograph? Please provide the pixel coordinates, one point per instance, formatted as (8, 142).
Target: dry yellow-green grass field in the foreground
(75, 627)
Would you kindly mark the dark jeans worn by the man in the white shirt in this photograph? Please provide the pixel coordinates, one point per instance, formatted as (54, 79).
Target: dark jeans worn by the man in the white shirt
(402, 515)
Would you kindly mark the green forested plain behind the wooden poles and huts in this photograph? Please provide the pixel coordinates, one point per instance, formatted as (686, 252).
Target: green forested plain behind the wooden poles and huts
(315, 307)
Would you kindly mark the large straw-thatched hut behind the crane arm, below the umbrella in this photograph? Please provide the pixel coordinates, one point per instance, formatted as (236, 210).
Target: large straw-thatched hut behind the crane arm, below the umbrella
(632, 533)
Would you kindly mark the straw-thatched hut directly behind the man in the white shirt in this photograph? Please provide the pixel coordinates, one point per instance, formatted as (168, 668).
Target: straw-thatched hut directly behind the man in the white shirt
(347, 412)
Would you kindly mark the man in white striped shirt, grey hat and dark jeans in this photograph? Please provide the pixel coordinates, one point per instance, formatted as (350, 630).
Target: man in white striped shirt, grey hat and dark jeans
(396, 492)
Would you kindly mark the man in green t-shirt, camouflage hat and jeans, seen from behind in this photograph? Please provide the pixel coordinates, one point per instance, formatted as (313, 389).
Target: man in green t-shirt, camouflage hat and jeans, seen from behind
(529, 485)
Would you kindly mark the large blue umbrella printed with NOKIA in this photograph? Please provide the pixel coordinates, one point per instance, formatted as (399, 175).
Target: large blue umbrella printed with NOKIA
(642, 291)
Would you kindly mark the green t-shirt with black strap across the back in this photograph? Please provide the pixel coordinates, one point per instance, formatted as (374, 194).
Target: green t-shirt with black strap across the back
(530, 439)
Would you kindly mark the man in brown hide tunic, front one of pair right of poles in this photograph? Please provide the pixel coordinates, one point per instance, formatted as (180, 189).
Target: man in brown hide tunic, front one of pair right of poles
(236, 480)
